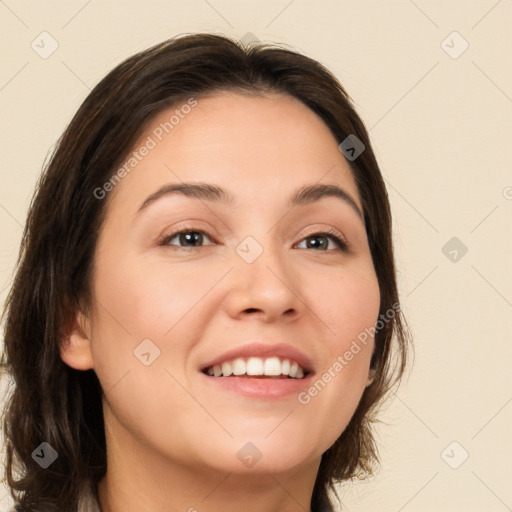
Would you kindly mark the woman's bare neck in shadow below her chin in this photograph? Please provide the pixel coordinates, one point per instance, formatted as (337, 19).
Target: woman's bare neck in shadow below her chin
(138, 478)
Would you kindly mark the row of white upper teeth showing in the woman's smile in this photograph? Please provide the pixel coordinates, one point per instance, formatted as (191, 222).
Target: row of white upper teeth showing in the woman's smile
(271, 367)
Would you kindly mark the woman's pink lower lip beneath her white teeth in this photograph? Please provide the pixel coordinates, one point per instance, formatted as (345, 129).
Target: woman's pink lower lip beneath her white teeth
(262, 387)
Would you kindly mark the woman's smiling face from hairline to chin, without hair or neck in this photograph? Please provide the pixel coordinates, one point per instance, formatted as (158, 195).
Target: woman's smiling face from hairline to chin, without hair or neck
(250, 277)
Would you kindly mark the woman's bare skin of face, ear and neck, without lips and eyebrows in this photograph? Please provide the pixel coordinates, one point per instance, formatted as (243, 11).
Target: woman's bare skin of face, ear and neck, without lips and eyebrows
(172, 441)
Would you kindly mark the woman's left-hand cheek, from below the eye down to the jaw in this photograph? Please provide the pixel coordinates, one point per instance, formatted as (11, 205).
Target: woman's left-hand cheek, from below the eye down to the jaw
(137, 303)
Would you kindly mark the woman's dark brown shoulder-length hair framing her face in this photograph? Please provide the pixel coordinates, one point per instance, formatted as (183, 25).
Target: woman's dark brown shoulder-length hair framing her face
(54, 403)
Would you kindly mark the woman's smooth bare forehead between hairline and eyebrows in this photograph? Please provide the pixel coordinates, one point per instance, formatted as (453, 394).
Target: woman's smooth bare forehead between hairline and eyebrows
(259, 147)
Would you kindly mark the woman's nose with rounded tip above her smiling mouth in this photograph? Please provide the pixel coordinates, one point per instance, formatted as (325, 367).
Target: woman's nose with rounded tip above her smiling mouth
(264, 289)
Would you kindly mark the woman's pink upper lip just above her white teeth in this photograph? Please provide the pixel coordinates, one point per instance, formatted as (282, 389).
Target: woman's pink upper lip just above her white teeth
(259, 349)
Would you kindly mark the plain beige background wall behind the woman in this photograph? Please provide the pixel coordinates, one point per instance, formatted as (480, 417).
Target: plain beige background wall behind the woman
(441, 127)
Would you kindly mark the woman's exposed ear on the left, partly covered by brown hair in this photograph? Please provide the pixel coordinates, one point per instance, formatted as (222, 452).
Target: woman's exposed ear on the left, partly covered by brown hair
(75, 348)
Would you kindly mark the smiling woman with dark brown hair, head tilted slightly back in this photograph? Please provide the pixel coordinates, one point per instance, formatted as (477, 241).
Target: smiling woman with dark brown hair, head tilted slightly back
(205, 313)
